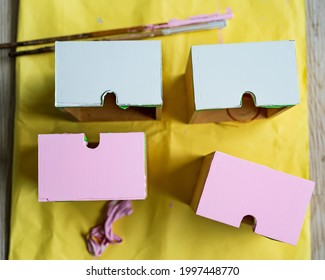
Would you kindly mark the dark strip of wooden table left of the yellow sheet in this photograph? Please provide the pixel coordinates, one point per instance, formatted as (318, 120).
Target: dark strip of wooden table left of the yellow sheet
(8, 27)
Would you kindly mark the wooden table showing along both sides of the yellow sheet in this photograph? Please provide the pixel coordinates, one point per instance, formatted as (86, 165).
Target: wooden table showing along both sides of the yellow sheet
(316, 104)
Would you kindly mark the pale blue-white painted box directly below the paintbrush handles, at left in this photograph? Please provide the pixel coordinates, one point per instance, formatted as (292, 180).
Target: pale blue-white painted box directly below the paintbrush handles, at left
(109, 81)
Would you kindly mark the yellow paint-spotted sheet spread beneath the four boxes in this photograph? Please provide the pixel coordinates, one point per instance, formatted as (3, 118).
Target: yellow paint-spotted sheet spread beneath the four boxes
(163, 226)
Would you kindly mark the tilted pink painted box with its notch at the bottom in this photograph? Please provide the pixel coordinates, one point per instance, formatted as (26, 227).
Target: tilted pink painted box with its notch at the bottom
(229, 189)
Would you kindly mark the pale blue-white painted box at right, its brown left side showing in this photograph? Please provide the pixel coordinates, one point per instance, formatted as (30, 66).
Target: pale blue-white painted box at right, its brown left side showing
(241, 82)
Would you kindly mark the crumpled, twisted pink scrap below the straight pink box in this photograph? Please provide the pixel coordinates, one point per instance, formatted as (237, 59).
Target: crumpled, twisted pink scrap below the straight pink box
(102, 235)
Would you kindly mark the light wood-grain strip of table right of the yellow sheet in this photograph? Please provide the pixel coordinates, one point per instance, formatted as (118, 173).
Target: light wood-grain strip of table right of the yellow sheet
(316, 103)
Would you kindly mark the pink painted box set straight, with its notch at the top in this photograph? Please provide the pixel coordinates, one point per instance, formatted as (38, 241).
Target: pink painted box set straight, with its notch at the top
(69, 170)
